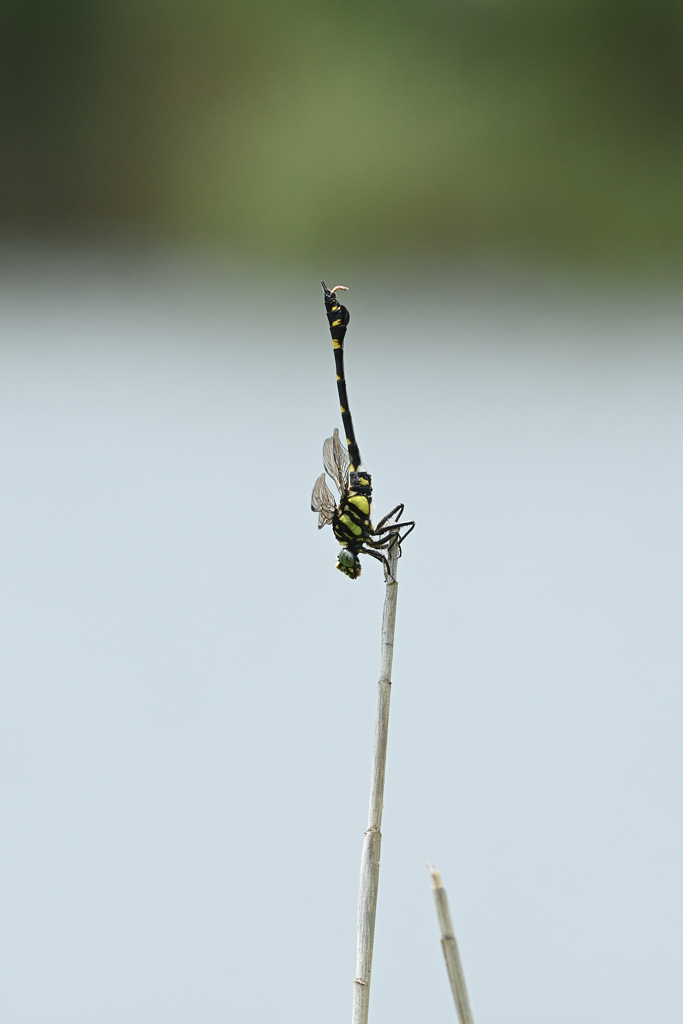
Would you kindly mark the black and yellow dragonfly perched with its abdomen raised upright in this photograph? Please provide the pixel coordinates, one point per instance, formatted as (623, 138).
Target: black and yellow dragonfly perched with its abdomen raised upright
(351, 516)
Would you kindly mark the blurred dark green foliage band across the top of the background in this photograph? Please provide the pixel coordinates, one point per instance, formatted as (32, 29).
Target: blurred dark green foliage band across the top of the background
(527, 126)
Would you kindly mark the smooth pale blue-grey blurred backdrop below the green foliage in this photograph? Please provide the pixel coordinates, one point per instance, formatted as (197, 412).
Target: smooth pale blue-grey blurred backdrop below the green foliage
(189, 686)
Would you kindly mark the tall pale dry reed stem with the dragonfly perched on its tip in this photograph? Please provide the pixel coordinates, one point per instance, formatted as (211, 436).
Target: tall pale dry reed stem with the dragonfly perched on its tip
(370, 860)
